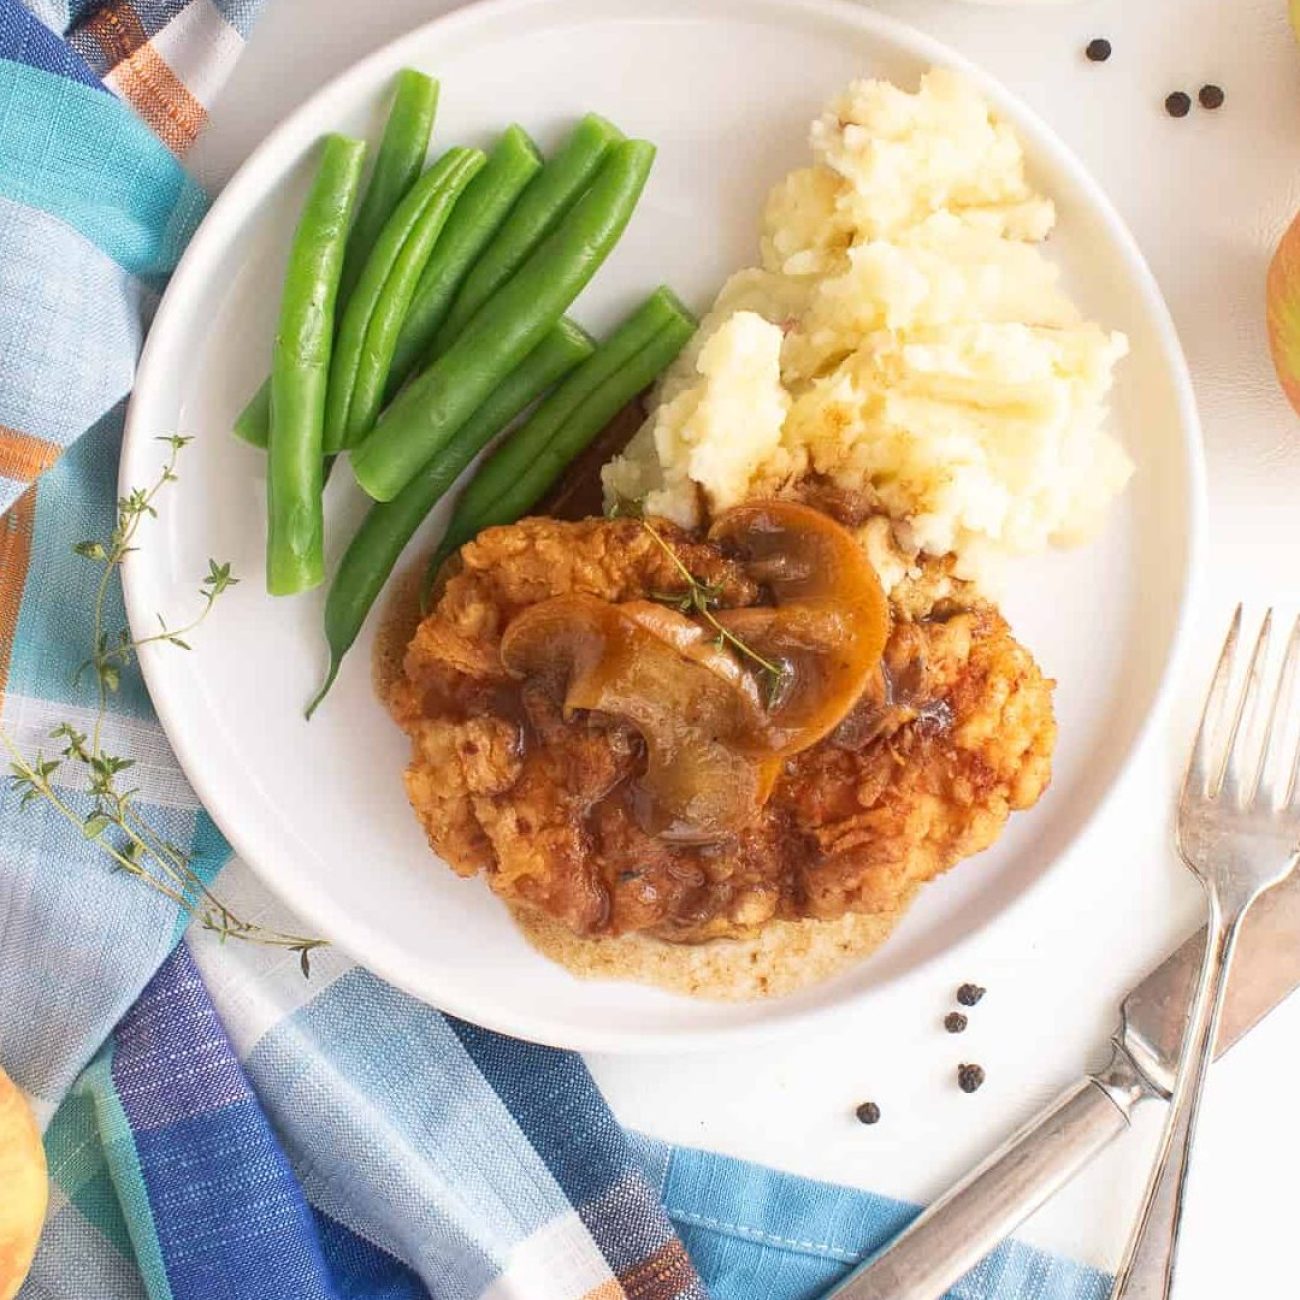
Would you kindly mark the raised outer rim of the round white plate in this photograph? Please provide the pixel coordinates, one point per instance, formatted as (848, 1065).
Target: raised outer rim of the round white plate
(536, 1026)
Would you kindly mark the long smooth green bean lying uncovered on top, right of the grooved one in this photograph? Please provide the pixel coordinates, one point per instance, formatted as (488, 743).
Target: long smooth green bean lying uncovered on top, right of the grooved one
(427, 414)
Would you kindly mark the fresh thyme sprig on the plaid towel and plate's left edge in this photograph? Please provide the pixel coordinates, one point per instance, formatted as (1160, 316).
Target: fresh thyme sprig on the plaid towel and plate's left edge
(115, 822)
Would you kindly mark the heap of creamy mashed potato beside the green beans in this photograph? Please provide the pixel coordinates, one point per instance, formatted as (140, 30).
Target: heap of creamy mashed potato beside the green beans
(904, 337)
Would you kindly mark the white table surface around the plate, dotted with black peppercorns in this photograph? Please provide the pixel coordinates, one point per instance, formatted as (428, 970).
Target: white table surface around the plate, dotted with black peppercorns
(1207, 198)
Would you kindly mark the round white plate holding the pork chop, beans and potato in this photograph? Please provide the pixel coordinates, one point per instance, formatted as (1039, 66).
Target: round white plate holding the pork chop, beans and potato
(727, 90)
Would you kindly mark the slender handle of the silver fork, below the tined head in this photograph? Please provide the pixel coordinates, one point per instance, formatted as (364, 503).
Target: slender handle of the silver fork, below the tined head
(1147, 1268)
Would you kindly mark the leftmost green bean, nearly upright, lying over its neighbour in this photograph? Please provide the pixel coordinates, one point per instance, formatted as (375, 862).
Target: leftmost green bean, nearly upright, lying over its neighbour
(300, 371)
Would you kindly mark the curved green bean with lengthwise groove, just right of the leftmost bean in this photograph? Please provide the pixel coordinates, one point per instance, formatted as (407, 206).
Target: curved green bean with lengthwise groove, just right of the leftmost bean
(363, 350)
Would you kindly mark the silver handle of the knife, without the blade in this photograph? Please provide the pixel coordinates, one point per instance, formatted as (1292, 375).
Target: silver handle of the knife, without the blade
(963, 1227)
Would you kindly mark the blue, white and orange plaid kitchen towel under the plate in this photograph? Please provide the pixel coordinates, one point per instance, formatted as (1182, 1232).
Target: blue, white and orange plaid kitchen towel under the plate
(219, 1126)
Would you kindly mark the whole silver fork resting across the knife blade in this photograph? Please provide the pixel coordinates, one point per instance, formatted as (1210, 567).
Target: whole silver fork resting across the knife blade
(1240, 833)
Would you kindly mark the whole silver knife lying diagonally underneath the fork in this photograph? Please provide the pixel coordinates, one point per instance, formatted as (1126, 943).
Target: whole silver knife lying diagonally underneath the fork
(963, 1227)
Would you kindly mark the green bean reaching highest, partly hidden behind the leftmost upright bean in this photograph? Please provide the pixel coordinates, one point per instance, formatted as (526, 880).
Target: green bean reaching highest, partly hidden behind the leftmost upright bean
(406, 141)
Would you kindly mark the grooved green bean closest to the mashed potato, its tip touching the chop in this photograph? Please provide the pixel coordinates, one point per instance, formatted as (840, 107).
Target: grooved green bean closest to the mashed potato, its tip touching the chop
(530, 462)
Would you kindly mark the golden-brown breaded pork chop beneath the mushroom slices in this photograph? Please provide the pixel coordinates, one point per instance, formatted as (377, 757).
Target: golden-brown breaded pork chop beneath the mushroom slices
(955, 731)
